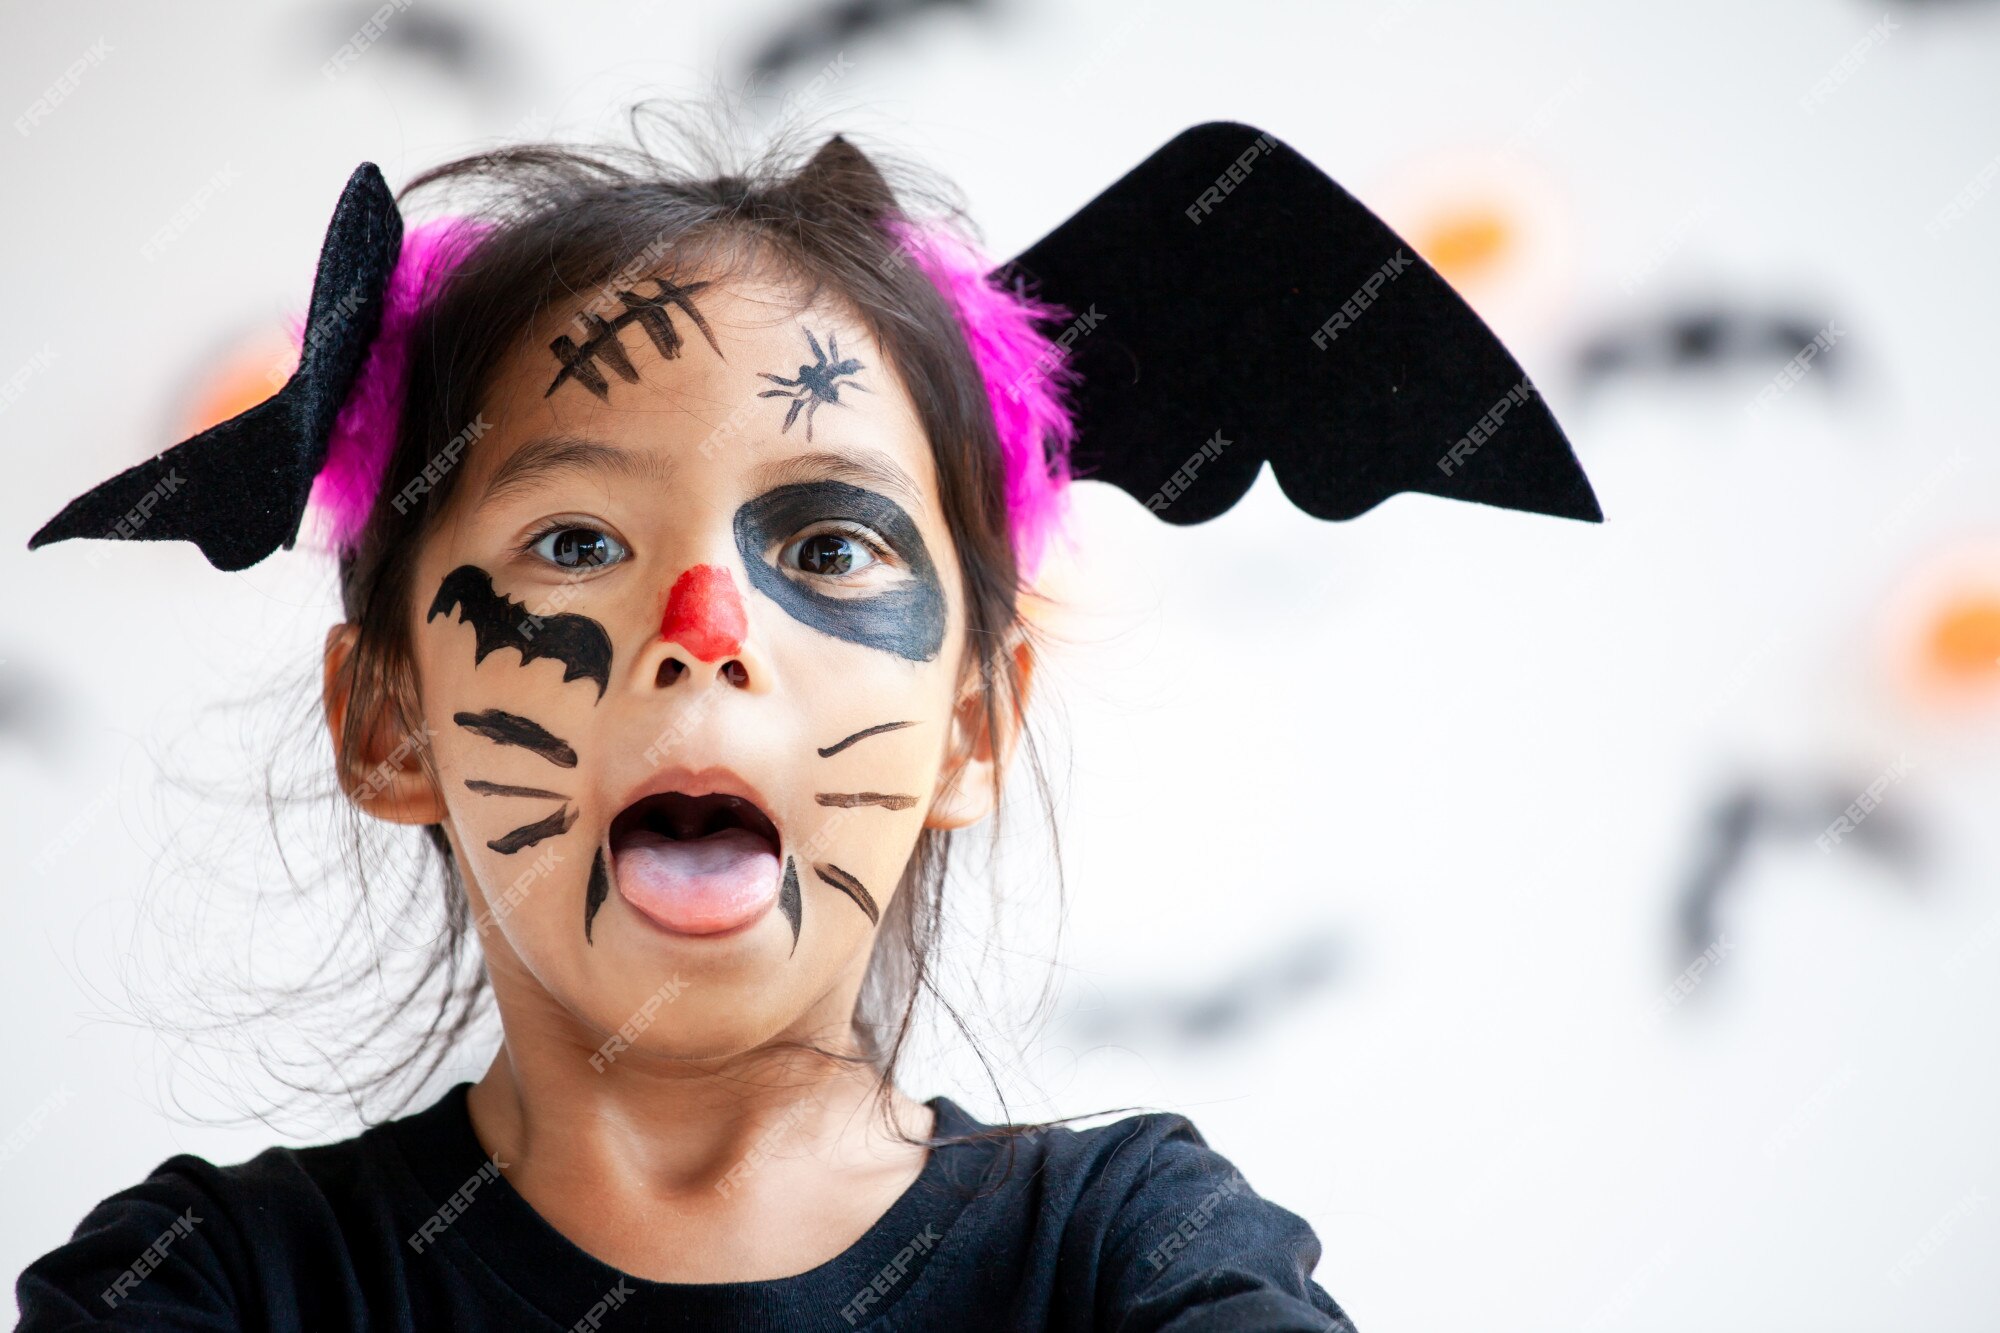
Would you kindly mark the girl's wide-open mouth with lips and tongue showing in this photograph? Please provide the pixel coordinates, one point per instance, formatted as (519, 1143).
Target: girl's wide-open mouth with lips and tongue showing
(697, 864)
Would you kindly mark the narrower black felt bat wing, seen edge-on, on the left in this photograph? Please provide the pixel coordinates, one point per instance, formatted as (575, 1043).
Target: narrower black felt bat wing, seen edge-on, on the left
(239, 491)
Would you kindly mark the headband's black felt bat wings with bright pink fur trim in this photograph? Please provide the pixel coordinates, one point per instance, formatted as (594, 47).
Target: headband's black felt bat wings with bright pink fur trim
(1221, 305)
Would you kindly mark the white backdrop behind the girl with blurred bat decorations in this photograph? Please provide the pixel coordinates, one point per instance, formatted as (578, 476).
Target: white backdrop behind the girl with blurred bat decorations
(1449, 764)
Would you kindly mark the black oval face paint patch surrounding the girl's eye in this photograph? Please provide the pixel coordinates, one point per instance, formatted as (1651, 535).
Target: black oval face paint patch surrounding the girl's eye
(907, 619)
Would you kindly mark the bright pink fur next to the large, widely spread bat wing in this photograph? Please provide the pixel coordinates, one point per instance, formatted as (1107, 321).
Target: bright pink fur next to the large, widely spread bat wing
(1027, 377)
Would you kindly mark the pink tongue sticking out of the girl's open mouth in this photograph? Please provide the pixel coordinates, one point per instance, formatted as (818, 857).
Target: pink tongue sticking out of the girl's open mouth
(697, 888)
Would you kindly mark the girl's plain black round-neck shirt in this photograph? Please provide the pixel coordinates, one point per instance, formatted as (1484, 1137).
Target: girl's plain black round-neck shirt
(411, 1226)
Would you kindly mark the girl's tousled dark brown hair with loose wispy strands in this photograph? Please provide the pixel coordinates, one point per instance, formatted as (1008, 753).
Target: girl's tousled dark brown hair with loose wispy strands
(567, 223)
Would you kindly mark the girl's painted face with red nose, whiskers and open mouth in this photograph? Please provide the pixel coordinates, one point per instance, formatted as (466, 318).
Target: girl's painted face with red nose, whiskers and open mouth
(687, 647)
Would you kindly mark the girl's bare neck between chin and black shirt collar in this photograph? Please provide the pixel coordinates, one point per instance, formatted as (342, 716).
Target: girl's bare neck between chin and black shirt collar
(753, 1170)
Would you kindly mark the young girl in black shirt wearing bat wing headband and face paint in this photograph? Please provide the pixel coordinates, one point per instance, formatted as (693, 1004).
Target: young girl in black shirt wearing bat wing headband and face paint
(681, 527)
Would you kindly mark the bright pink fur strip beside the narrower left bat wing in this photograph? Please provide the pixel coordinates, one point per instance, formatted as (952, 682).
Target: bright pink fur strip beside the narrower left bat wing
(365, 433)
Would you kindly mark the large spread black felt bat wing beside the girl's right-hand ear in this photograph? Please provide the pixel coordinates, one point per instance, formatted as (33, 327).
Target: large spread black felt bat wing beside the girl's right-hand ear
(1233, 287)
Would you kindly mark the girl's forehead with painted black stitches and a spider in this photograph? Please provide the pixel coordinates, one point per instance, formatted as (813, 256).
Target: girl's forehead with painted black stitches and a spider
(705, 373)
